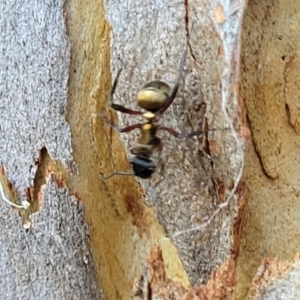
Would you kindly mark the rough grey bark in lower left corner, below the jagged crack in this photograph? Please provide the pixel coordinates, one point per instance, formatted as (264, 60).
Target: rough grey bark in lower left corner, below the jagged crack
(52, 260)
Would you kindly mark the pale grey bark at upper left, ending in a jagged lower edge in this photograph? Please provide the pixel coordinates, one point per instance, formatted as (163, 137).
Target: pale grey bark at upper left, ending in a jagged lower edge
(34, 69)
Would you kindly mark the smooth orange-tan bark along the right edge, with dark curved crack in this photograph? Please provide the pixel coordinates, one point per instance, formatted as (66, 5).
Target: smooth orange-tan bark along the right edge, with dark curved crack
(270, 66)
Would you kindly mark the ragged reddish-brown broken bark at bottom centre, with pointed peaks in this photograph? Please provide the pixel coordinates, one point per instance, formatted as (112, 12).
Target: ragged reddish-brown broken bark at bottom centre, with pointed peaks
(154, 283)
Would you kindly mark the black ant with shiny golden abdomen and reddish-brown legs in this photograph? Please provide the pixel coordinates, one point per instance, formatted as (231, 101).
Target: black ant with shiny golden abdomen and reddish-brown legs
(155, 98)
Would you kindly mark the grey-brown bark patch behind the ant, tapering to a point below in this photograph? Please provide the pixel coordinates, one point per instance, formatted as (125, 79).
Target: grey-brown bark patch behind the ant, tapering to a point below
(148, 39)
